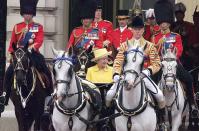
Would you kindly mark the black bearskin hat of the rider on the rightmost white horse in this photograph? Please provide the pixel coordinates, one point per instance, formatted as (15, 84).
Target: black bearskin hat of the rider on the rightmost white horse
(164, 11)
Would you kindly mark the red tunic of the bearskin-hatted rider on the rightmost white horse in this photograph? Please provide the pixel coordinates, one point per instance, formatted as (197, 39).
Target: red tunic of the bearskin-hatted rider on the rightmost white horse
(169, 38)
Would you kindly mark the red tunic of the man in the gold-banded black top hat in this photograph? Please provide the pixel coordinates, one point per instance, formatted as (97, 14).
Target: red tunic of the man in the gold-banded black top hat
(118, 37)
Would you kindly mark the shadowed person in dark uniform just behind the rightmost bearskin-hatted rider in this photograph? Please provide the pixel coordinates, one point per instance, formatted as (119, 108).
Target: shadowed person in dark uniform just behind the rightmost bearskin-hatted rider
(185, 29)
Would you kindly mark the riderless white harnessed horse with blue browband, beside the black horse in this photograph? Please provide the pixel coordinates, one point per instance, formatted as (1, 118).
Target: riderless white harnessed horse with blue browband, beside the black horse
(71, 104)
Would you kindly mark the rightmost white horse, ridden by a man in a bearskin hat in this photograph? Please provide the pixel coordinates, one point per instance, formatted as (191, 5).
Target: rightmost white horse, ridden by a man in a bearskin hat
(172, 89)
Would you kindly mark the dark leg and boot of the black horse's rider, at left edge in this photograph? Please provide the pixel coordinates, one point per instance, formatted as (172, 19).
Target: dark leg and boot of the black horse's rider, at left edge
(8, 81)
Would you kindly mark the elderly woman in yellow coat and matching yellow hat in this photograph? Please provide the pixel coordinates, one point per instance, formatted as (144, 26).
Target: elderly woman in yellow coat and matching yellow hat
(101, 72)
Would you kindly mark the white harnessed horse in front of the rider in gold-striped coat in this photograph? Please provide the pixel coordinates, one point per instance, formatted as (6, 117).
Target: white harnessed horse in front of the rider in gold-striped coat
(133, 101)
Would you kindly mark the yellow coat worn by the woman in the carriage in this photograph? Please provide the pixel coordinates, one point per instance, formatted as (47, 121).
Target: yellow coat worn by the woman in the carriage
(95, 75)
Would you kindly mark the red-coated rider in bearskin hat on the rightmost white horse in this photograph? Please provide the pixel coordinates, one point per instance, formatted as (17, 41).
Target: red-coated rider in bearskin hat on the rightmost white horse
(164, 17)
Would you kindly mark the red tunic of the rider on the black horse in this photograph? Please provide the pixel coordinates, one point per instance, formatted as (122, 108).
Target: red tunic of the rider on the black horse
(19, 31)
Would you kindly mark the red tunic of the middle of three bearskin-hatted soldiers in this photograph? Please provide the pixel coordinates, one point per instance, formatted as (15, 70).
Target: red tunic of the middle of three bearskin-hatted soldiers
(79, 33)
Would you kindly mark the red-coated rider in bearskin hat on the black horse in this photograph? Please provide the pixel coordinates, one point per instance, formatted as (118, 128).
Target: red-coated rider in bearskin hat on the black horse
(31, 33)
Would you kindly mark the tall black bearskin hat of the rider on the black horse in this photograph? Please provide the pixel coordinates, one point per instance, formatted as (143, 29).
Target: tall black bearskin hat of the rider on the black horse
(28, 7)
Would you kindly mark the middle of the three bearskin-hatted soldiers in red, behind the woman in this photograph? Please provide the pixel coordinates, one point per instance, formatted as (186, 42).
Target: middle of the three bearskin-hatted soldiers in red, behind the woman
(86, 35)
